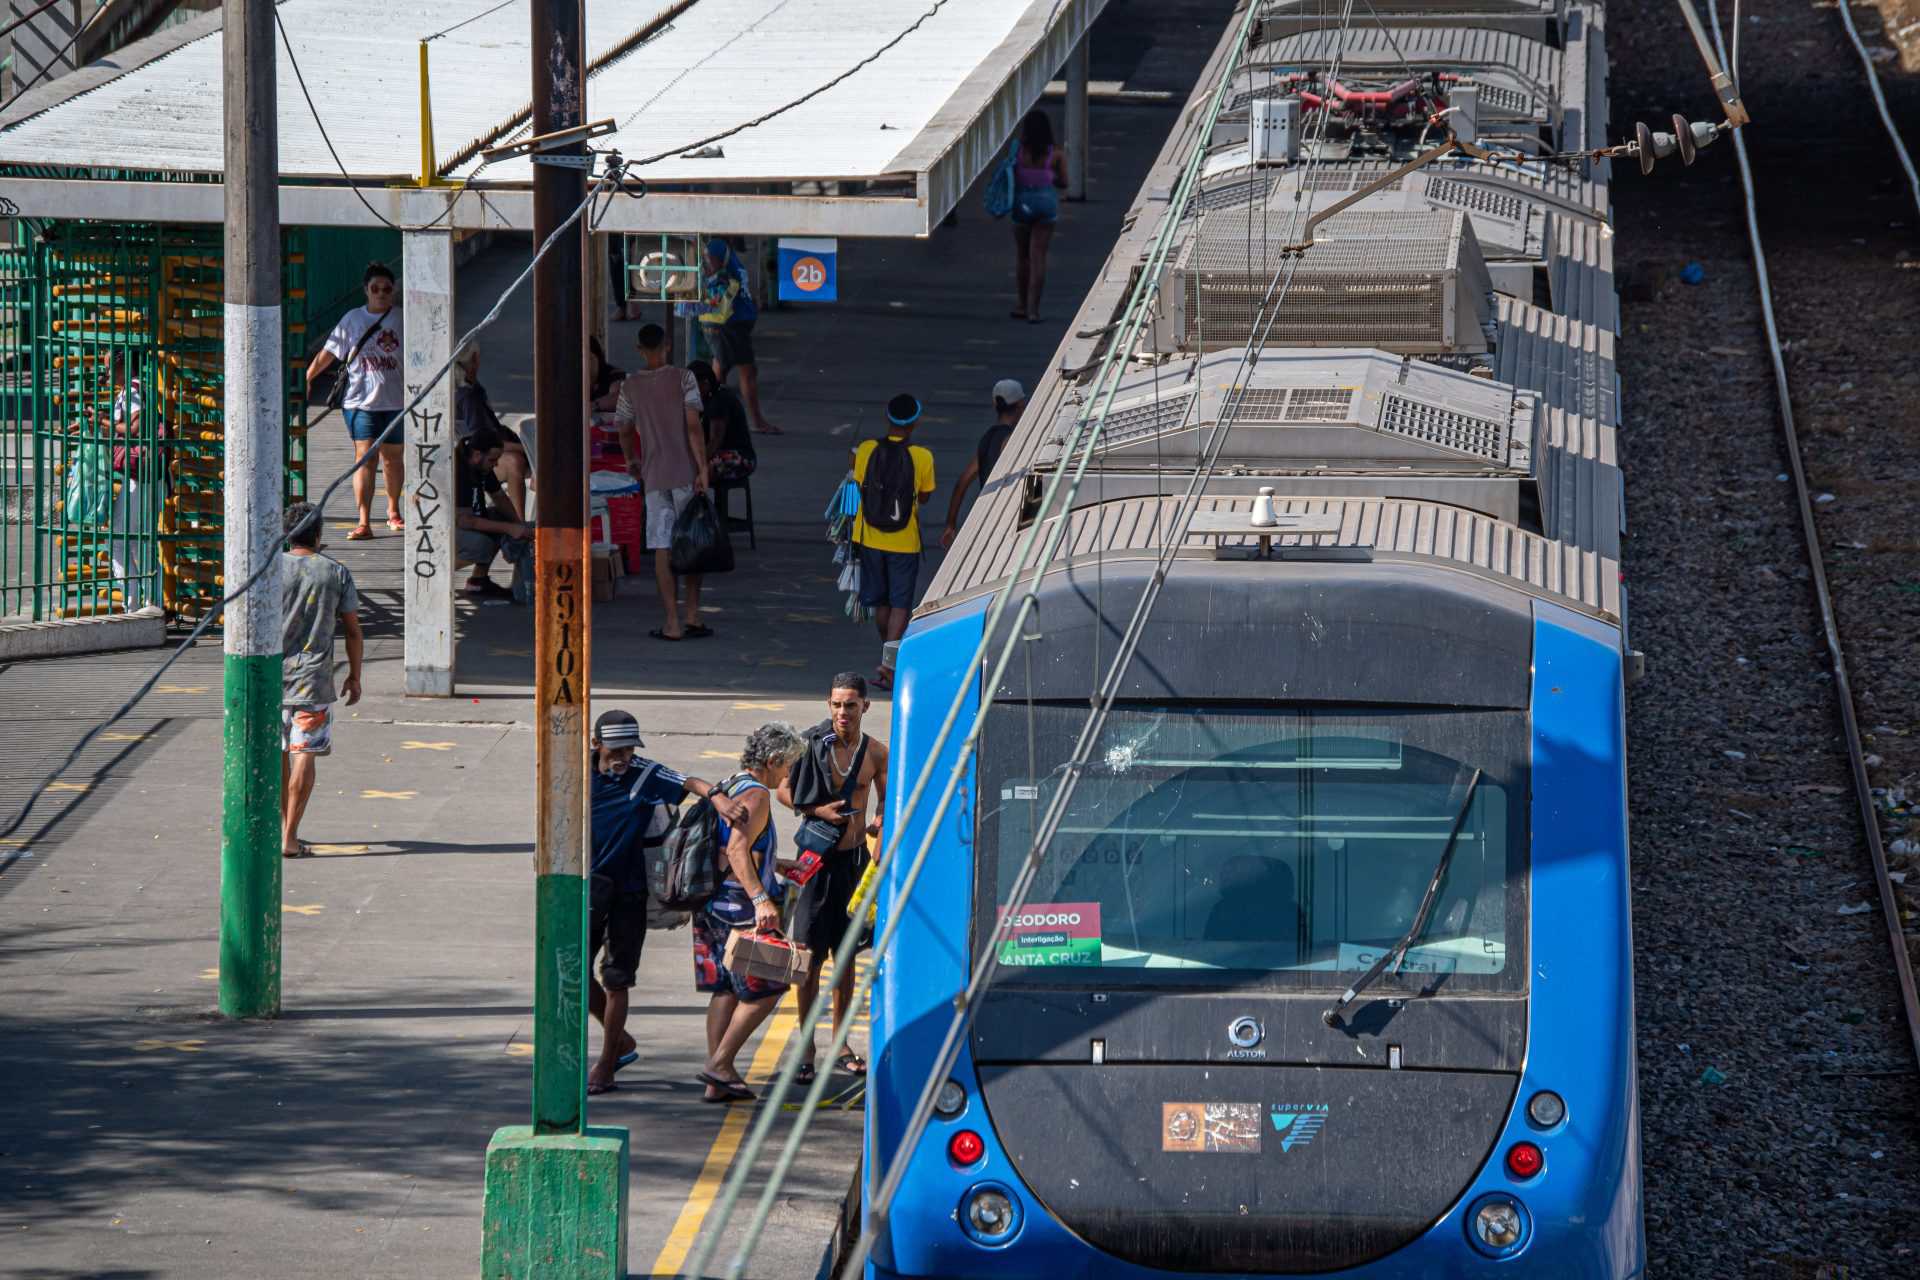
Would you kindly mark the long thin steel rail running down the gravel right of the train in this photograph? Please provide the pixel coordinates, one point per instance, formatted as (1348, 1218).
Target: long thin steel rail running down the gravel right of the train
(1863, 792)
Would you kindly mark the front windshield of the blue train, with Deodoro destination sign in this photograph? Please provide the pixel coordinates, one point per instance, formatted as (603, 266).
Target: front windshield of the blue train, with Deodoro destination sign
(1274, 847)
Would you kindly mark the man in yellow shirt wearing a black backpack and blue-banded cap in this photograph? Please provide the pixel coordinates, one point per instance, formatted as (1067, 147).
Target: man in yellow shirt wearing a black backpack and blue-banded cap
(896, 477)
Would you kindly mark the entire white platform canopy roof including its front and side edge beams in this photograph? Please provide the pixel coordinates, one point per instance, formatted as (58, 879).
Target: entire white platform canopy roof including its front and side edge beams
(901, 137)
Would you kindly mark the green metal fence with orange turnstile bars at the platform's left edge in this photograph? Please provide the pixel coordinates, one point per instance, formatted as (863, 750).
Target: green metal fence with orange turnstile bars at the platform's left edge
(112, 408)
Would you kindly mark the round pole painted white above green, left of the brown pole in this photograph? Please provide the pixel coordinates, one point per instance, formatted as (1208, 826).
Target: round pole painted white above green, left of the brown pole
(251, 824)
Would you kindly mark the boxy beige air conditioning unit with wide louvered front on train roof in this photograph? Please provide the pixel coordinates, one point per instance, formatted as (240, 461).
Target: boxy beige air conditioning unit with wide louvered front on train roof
(1403, 281)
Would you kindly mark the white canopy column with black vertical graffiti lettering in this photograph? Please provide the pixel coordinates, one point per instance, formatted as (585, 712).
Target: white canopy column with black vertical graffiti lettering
(429, 594)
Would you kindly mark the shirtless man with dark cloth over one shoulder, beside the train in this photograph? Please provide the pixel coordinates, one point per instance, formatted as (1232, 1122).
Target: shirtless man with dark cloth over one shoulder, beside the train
(821, 907)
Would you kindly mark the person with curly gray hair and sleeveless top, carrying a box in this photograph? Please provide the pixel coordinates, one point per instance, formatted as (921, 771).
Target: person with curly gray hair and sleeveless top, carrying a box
(750, 899)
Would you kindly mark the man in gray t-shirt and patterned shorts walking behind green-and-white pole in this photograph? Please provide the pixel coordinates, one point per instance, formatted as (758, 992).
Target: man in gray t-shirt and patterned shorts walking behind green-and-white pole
(318, 596)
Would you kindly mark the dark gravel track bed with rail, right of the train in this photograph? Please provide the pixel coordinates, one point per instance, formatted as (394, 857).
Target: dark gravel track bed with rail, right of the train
(1767, 563)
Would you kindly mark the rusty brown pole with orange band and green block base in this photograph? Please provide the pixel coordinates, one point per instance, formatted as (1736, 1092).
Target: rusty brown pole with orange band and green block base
(556, 1191)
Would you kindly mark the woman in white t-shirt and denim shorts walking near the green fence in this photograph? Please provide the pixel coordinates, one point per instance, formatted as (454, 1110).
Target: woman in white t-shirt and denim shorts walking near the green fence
(375, 396)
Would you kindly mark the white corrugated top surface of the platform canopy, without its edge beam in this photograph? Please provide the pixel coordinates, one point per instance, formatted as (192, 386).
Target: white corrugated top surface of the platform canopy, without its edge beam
(719, 64)
